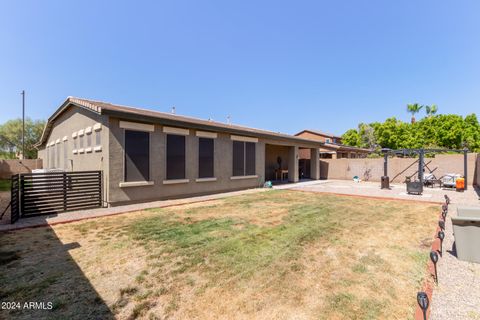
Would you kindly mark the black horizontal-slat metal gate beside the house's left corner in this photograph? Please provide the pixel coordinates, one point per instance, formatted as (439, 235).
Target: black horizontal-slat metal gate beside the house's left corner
(55, 192)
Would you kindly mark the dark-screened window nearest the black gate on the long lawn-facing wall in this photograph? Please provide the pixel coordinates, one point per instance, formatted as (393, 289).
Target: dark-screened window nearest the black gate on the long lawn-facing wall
(137, 156)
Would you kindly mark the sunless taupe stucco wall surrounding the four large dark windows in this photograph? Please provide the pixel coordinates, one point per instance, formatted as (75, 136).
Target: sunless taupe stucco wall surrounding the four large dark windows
(222, 168)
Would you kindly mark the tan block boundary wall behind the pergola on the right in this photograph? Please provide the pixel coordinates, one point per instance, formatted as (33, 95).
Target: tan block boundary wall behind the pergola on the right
(398, 168)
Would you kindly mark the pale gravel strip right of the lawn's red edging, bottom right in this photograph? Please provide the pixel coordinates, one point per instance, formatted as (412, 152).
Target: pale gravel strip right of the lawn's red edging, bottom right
(457, 295)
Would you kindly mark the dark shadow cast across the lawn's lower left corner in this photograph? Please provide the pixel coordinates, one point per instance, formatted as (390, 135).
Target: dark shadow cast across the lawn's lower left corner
(39, 275)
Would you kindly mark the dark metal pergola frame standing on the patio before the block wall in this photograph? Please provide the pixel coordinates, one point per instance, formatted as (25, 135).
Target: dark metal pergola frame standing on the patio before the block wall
(421, 159)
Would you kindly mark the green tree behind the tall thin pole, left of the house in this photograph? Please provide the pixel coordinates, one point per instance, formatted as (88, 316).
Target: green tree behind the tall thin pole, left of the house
(11, 137)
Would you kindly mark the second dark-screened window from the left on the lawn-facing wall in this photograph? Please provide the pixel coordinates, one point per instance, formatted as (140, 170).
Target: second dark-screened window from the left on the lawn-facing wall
(175, 157)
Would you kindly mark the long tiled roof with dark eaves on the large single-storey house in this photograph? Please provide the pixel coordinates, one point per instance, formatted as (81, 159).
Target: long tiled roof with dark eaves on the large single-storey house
(146, 115)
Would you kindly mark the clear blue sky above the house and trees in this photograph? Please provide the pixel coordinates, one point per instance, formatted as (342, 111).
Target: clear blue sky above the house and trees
(277, 65)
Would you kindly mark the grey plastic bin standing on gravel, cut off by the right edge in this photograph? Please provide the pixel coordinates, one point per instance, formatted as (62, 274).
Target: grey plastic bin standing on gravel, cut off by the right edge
(466, 228)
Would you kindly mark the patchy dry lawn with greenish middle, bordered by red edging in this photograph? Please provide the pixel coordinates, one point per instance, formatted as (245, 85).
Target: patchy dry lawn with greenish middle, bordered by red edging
(276, 254)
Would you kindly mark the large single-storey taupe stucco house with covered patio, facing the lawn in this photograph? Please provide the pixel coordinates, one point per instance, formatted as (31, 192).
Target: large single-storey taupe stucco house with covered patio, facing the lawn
(148, 155)
